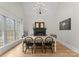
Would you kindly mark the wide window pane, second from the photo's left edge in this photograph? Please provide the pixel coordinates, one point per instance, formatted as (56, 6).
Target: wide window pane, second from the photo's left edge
(10, 30)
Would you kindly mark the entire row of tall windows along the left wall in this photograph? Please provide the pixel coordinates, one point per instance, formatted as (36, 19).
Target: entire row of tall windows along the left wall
(10, 30)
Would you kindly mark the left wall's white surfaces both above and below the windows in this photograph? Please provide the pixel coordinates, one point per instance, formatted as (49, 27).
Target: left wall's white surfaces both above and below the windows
(12, 10)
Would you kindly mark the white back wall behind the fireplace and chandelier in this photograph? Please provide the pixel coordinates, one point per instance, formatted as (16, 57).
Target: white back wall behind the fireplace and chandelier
(49, 18)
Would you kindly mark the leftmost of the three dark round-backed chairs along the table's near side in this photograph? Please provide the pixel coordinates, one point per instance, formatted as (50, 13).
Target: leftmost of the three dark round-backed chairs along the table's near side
(29, 43)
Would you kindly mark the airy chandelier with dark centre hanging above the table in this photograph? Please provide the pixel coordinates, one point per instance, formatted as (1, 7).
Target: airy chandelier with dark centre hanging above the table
(40, 8)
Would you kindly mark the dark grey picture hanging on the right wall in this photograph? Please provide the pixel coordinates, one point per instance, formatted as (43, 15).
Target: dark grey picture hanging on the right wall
(65, 25)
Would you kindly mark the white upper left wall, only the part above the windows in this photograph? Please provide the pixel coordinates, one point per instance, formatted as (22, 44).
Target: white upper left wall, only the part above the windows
(12, 9)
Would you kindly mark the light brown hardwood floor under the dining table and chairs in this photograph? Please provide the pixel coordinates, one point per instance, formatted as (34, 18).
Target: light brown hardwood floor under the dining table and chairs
(61, 51)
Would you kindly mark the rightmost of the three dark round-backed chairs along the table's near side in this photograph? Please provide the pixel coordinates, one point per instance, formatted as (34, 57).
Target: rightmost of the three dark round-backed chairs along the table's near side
(49, 43)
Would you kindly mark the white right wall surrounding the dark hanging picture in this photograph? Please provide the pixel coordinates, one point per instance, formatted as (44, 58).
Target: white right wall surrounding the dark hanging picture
(69, 37)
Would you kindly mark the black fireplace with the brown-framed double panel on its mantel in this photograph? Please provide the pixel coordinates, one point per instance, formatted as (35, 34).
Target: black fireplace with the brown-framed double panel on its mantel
(39, 29)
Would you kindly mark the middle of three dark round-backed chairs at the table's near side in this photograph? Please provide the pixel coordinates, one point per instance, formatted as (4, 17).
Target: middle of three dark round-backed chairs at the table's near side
(38, 43)
